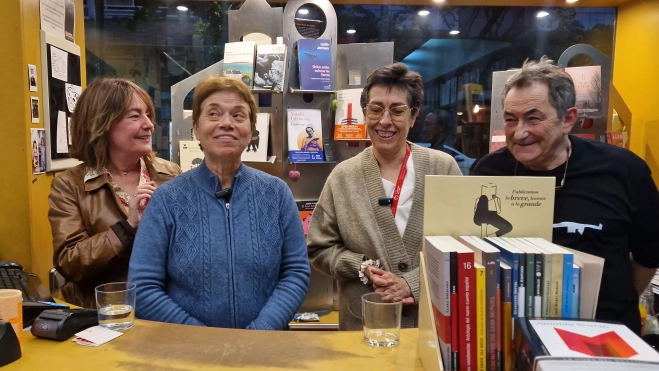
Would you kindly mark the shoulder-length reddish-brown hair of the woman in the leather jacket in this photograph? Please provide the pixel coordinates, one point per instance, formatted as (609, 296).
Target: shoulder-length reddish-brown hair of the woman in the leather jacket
(103, 103)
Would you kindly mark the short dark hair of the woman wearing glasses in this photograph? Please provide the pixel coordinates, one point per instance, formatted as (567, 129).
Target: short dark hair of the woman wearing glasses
(396, 75)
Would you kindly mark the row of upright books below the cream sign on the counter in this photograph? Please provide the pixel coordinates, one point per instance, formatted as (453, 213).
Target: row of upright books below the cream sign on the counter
(479, 286)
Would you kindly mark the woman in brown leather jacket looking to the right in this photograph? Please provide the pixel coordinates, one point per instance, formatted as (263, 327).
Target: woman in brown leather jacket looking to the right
(96, 207)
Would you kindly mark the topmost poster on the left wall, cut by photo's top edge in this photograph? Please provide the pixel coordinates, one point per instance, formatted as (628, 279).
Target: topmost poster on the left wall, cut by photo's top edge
(58, 18)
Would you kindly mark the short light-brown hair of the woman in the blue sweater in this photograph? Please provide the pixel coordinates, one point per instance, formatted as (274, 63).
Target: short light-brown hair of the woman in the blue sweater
(213, 84)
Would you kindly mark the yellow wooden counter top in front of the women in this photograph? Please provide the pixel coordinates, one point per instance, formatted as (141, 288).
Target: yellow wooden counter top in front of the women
(161, 346)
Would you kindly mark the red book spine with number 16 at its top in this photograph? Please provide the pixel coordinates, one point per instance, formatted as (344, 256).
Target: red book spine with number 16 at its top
(466, 315)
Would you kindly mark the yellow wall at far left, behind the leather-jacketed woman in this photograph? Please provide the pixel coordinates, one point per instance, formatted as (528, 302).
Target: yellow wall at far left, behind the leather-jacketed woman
(25, 234)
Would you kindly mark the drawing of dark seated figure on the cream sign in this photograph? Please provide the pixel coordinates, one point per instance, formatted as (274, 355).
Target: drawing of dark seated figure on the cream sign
(487, 212)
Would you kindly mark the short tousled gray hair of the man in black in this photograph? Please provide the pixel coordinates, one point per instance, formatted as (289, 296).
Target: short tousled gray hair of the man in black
(562, 95)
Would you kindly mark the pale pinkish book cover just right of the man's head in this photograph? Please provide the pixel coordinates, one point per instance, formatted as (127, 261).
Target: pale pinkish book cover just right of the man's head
(588, 86)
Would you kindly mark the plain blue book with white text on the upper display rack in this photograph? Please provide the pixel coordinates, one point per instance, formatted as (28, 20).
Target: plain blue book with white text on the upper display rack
(315, 64)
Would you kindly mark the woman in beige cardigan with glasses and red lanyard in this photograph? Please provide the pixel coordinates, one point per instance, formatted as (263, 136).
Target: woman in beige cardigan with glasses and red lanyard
(367, 228)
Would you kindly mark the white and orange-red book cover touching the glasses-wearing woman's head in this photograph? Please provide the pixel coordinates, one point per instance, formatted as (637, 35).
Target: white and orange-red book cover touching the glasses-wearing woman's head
(349, 118)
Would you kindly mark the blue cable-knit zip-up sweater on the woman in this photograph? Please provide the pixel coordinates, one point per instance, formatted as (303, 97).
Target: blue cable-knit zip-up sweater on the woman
(197, 261)
